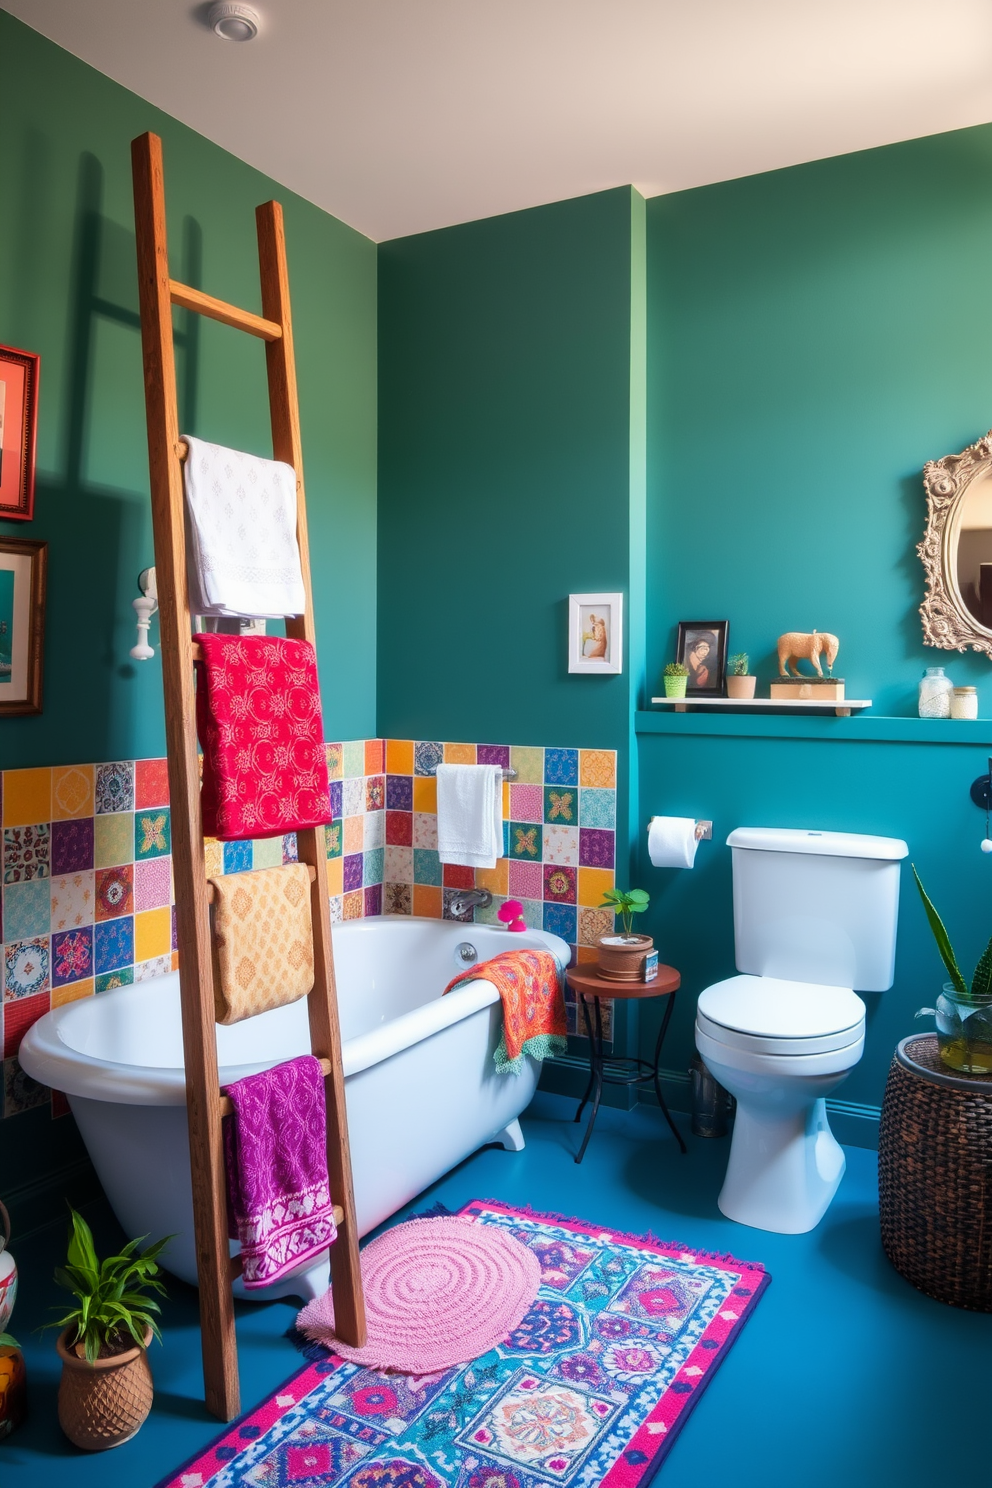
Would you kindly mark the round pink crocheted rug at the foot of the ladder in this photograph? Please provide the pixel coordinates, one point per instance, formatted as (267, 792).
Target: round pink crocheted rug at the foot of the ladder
(438, 1292)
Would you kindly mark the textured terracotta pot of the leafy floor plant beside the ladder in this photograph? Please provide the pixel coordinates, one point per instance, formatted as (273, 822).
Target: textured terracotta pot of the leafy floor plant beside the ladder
(103, 1404)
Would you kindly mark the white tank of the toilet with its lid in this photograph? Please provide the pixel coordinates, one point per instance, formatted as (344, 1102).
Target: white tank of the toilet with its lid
(817, 907)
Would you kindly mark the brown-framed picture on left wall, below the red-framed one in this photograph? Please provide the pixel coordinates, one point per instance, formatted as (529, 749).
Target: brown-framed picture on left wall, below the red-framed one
(23, 575)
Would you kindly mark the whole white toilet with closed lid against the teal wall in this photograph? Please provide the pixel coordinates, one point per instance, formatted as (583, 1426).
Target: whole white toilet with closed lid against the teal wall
(814, 917)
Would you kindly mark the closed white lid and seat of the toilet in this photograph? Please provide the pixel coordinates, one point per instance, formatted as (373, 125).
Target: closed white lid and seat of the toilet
(774, 1017)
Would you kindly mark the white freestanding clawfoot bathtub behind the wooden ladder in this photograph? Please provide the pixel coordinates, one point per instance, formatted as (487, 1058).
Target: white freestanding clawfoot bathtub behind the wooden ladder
(420, 1083)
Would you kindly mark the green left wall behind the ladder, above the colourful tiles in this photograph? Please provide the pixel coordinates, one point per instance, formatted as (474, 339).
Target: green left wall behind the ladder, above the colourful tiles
(69, 291)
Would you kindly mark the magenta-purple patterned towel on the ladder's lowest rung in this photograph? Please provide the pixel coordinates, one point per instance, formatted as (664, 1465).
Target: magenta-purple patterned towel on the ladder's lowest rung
(276, 1151)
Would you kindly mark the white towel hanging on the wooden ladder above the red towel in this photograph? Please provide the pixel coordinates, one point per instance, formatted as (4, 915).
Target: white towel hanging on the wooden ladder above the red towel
(243, 557)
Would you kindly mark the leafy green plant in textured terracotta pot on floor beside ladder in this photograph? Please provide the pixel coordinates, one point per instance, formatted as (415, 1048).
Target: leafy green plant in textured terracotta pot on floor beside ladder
(106, 1388)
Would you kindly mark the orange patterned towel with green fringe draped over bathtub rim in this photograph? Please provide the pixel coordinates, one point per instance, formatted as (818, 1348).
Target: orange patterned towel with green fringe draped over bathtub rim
(533, 1005)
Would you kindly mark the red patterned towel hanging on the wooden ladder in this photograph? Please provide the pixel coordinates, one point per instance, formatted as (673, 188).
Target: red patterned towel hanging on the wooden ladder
(260, 725)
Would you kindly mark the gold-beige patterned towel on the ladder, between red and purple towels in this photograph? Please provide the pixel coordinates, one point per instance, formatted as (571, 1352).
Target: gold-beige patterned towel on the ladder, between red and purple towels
(264, 941)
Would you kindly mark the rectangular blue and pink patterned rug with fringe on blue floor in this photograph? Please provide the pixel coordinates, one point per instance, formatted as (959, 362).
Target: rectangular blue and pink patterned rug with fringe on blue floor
(591, 1389)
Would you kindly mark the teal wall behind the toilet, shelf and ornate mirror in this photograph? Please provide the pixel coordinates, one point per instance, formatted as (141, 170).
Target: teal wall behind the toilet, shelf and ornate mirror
(814, 337)
